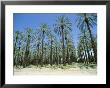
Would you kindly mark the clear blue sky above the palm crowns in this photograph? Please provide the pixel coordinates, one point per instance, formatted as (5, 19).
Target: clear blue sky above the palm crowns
(33, 20)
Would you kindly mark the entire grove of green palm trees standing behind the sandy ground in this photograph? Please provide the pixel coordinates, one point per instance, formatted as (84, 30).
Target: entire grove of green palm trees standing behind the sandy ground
(54, 45)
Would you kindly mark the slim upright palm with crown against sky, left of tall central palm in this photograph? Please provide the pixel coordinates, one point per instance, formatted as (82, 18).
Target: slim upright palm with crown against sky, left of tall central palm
(43, 30)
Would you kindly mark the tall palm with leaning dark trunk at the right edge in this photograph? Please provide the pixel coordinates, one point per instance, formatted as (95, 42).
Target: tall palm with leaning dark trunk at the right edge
(88, 20)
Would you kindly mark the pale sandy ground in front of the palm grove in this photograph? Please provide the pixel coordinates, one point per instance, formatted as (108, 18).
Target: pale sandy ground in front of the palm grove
(75, 70)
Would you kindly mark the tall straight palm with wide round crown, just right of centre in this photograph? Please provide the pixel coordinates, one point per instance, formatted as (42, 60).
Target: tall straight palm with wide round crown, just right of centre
(62, 24)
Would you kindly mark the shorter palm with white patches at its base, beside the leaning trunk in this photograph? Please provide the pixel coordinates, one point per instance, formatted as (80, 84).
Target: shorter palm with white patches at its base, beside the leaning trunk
(85, 43)
